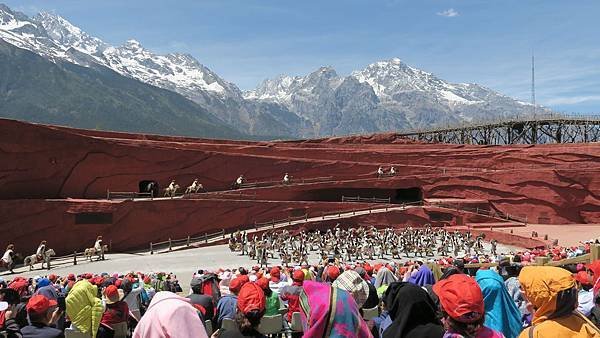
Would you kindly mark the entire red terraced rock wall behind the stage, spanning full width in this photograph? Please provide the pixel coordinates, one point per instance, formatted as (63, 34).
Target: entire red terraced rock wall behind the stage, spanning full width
(54, 184)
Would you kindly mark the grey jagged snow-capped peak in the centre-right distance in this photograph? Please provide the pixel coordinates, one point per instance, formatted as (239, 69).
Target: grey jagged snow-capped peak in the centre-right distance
(386, 95)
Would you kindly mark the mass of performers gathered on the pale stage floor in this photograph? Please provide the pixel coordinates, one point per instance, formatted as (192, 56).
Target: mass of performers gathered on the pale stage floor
(356, 244)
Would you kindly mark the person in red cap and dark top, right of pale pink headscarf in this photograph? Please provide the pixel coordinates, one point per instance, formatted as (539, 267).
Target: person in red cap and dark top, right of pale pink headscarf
(250, 309)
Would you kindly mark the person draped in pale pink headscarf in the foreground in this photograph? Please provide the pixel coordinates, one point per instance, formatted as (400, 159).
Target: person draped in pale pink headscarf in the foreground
(170, 316)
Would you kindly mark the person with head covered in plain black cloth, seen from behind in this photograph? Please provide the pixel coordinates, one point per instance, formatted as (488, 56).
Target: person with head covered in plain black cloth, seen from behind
(412, 311)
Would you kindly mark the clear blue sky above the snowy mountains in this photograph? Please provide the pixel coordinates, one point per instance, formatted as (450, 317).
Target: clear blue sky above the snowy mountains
(481, 41)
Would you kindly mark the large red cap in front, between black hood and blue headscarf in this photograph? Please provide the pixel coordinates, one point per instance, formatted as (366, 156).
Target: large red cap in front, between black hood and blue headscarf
(461, 298)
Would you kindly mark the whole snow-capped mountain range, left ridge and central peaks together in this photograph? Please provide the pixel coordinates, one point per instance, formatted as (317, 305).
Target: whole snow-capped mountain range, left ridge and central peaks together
(385, 96)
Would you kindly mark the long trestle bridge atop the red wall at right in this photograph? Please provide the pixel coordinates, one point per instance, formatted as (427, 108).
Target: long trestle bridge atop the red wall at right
(533, 130)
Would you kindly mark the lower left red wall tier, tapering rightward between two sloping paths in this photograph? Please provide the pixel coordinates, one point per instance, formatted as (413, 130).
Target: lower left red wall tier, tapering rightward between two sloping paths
(135, 224)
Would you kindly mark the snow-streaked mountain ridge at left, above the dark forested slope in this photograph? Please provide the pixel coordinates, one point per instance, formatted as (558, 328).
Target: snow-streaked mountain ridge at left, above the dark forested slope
(56, 39)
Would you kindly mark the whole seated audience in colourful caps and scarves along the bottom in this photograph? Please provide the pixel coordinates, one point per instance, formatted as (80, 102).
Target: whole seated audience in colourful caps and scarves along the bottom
(360, 299)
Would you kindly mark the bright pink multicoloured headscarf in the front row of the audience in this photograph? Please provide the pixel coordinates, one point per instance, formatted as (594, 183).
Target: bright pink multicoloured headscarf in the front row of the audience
(330, 312)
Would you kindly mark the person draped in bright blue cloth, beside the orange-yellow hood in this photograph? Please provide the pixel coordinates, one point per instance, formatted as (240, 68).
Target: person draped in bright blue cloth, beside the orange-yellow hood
(501, 312)
